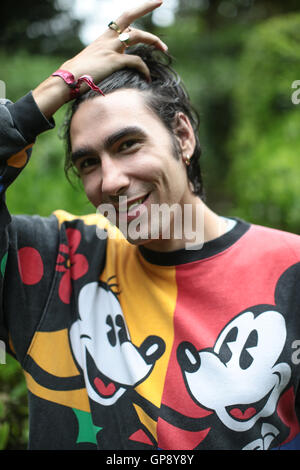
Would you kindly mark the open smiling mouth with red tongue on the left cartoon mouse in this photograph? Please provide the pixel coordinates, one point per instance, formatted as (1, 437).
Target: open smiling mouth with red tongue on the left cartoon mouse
(101, 384)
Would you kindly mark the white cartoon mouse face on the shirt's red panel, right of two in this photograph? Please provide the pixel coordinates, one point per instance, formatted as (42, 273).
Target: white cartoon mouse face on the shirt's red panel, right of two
(242, 376)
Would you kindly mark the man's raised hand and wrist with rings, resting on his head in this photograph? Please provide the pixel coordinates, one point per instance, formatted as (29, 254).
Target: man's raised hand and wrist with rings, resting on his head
(101, 58)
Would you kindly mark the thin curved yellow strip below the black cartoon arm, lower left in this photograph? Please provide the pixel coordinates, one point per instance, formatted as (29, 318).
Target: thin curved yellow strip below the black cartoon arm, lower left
(74, 399)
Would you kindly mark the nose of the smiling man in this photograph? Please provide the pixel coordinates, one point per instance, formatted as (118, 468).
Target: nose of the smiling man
(114, 178)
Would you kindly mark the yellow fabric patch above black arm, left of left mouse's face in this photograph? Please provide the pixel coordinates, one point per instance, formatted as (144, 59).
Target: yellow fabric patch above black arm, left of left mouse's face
(48, 349)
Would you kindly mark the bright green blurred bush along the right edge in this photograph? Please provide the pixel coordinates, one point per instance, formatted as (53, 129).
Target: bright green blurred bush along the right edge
(265, 141)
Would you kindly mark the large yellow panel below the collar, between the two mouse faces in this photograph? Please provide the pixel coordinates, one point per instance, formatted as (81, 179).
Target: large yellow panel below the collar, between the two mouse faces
(148, 297)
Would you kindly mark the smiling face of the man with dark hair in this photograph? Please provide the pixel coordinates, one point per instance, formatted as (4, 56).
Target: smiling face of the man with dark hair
(121, 148)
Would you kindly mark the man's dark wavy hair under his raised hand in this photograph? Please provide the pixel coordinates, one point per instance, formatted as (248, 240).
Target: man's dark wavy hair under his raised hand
(165, 95)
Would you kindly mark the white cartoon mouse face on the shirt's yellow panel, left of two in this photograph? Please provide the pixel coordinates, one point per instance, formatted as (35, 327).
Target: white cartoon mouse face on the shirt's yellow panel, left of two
(103, 349)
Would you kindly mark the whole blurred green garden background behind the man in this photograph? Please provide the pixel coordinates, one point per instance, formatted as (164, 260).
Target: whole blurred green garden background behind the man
(238, 60)
